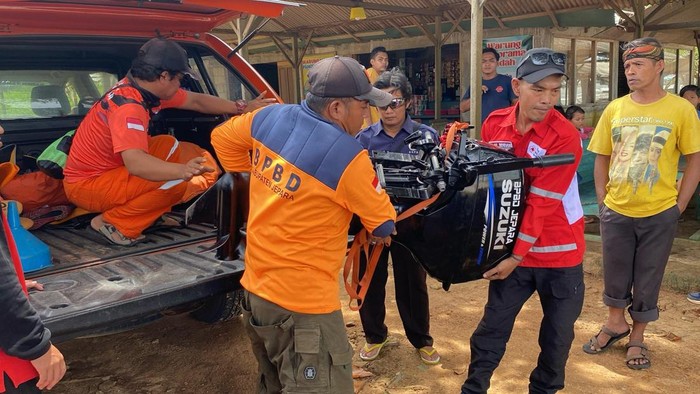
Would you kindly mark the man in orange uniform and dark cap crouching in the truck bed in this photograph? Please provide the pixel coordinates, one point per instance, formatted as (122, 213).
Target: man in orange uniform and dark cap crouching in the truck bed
(114, 167)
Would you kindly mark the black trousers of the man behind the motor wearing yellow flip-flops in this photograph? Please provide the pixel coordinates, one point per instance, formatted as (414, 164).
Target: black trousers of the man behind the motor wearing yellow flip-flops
(411, 298)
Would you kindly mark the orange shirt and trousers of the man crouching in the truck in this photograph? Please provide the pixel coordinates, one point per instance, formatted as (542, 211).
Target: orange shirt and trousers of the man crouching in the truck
(95, 176)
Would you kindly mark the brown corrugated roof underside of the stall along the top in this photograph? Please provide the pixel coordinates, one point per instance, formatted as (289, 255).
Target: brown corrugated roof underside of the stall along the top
(328, 20)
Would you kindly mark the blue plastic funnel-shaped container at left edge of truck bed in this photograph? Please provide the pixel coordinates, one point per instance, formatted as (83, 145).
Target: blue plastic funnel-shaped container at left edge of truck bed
(33, 253)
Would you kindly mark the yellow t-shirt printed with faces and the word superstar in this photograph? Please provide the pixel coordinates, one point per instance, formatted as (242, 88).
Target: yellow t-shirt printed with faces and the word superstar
(645, 142)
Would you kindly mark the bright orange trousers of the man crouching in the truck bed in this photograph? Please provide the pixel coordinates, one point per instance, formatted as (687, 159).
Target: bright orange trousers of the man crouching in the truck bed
(130, 203)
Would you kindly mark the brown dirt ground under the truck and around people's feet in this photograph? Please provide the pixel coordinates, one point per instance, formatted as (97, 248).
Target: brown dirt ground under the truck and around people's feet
(180, 355)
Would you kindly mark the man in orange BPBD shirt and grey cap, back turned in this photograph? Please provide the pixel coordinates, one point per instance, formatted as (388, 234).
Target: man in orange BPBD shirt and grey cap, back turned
(308, 177)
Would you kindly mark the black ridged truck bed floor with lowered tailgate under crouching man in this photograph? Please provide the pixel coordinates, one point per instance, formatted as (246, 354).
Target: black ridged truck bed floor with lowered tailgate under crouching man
(95, 285)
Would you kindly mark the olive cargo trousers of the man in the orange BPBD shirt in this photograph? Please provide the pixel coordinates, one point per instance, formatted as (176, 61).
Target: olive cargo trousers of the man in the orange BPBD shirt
(298, 352)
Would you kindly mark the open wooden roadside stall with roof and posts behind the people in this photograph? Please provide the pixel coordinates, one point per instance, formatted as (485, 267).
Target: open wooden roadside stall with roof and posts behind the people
(438, 43)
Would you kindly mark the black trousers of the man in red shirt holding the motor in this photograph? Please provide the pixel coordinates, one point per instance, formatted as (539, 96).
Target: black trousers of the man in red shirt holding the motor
(561, 296)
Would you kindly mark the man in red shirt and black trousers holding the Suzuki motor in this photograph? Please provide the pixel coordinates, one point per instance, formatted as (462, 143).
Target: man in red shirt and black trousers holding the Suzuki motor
(549, 249)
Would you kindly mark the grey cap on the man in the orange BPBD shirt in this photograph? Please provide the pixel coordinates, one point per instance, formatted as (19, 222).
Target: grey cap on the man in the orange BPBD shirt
(340, 76)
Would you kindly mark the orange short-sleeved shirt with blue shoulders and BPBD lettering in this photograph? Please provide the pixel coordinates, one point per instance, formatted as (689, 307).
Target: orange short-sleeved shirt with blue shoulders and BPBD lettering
(308, 177)
